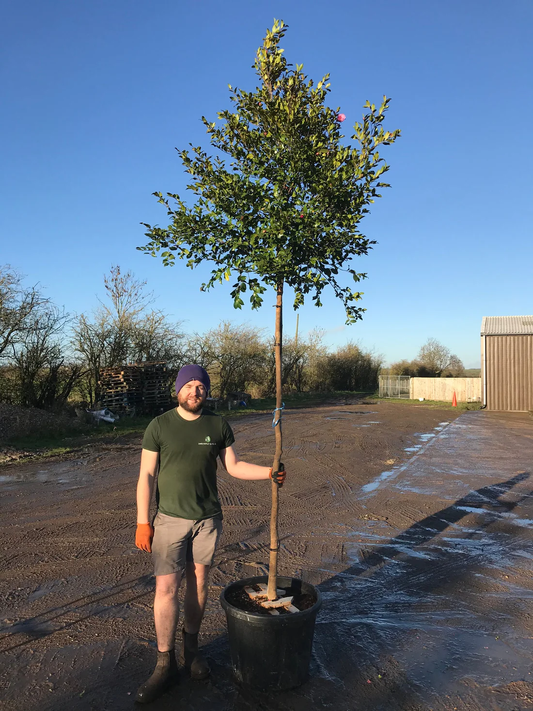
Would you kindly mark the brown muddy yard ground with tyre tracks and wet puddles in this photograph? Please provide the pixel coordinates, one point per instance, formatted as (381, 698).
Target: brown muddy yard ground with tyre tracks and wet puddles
(416, 526)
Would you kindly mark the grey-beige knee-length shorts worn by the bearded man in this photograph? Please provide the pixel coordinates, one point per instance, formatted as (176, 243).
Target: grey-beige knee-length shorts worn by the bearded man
(178, 541)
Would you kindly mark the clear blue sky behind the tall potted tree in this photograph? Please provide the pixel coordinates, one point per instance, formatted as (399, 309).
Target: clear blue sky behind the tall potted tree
(96, 95)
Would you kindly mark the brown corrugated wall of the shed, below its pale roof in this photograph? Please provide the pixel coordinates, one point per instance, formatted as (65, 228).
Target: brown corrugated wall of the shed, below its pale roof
(510, 373)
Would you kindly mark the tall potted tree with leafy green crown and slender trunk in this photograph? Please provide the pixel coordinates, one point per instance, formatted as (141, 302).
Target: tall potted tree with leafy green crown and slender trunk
(280, 203)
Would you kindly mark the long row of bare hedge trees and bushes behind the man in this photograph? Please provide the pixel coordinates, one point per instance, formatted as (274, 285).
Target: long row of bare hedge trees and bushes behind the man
(49, 358)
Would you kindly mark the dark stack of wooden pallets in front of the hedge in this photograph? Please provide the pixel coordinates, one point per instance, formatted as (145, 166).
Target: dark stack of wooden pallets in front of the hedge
(136, 389)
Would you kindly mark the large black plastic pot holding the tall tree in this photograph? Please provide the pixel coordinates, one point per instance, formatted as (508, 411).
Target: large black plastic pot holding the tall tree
(271, 652)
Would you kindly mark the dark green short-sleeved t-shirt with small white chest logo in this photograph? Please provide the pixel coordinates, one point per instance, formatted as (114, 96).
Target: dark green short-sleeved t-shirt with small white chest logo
(188, 451)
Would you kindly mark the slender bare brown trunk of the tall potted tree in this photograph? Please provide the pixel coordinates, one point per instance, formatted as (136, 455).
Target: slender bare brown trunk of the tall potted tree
(274, 541)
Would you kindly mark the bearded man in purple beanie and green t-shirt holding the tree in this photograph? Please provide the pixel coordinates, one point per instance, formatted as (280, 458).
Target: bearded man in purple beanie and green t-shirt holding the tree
(184, 444)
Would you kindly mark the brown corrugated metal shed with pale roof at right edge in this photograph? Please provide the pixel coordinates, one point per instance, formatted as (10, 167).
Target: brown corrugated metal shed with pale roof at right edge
(507, 362)
